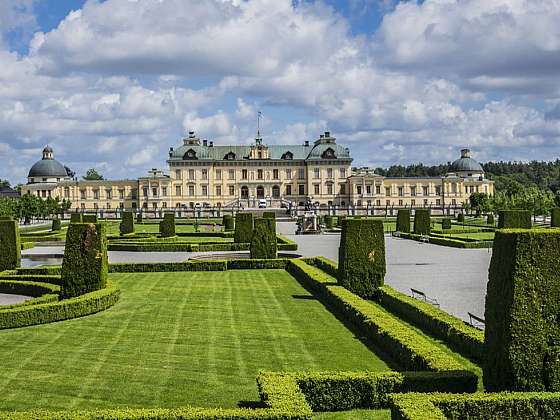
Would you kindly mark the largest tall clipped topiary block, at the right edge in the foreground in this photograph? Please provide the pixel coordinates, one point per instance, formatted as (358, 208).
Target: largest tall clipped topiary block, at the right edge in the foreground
(522, 306)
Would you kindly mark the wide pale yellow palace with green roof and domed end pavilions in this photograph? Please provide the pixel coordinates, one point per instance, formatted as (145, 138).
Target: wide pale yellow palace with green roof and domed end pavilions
(201, 174)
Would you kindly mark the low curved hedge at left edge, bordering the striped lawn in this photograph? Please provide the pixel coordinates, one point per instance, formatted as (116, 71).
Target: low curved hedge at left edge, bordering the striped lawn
(75, 307)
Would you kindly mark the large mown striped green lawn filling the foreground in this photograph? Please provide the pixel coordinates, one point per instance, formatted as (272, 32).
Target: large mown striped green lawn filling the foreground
(176, 339)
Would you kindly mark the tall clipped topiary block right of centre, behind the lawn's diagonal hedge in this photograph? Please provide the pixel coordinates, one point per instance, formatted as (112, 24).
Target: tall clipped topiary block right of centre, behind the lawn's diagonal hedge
(361, 256)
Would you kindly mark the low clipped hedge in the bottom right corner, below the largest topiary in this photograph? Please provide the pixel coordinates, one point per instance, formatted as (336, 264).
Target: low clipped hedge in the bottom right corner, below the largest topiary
(479, 406)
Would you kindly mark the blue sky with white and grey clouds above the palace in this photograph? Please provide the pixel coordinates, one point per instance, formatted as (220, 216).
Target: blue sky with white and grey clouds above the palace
(113, 84)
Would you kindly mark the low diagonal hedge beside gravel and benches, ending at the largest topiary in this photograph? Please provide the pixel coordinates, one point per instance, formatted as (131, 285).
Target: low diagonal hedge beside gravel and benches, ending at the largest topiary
(463, 338)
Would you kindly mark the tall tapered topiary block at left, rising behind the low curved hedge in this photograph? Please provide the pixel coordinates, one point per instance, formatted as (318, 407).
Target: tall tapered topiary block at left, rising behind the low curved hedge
(85, 265)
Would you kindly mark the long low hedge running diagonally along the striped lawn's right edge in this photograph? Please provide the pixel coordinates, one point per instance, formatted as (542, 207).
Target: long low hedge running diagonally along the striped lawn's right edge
(412, 350)
